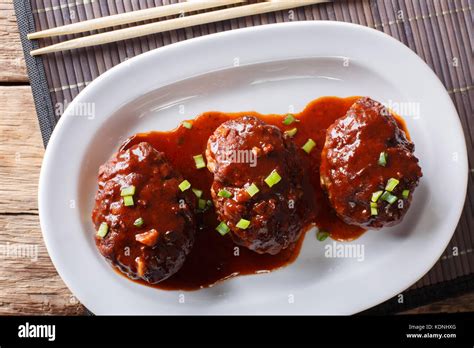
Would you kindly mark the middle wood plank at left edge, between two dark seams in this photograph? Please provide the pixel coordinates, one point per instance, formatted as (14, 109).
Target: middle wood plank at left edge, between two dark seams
(21, 150)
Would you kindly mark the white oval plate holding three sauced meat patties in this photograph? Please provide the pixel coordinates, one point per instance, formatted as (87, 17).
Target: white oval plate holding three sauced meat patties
(270, 69)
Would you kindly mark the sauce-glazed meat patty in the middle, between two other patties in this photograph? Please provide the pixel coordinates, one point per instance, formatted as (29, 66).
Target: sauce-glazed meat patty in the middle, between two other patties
(247, 156)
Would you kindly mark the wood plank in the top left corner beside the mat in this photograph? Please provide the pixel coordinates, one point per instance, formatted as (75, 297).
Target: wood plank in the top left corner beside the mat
(12, 61)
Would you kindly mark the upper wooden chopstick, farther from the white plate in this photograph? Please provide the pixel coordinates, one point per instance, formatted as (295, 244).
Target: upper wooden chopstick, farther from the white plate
(132, 17)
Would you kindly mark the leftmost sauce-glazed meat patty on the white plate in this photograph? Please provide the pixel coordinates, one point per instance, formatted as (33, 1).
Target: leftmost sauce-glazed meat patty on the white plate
(146, 224)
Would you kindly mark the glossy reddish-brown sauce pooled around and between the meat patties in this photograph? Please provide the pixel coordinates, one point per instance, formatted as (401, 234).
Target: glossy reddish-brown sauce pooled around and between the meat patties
(215, 257)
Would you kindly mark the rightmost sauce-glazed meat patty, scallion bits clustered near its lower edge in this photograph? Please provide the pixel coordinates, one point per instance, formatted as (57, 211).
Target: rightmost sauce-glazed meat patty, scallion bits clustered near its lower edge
(368, 167)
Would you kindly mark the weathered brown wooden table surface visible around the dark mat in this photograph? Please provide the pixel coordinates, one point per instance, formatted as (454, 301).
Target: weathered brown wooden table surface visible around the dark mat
(29, 283)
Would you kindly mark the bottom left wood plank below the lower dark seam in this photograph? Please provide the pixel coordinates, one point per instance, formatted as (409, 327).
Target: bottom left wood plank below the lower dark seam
(29, 281)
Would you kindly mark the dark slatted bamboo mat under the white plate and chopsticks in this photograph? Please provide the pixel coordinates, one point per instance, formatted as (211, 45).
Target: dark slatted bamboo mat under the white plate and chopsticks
(439, 31)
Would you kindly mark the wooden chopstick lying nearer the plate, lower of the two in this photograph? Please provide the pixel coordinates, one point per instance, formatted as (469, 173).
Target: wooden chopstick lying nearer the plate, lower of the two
(173, 24)
